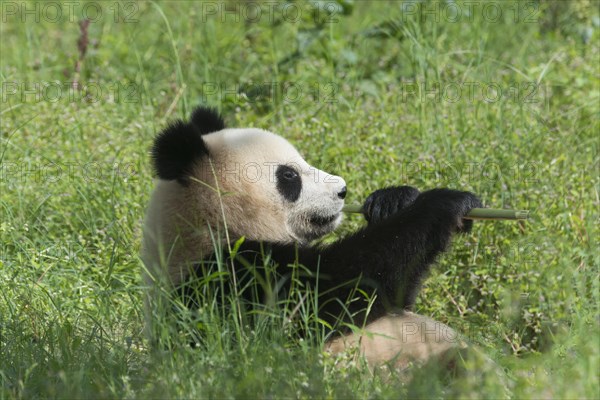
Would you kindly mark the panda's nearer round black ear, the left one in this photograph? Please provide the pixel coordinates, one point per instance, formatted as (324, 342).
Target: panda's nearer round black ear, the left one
(176, 149)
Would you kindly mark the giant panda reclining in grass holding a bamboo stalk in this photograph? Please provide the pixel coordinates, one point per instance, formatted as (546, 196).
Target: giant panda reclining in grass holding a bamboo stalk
(217, 186)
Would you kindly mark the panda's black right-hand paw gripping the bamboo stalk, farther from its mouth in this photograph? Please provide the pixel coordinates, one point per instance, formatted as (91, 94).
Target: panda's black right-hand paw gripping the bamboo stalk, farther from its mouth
(451, 206)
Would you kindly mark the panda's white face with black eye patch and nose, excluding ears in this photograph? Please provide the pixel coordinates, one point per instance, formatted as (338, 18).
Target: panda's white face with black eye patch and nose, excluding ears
(286, 198)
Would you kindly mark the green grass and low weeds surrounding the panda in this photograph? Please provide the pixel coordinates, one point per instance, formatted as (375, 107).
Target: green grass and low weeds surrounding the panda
(75, 180)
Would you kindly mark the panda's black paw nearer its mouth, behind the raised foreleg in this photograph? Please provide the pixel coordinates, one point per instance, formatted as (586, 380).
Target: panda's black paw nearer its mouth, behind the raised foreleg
(384, 203)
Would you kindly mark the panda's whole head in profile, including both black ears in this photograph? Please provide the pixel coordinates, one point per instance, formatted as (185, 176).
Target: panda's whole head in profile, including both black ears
(253, 181)
